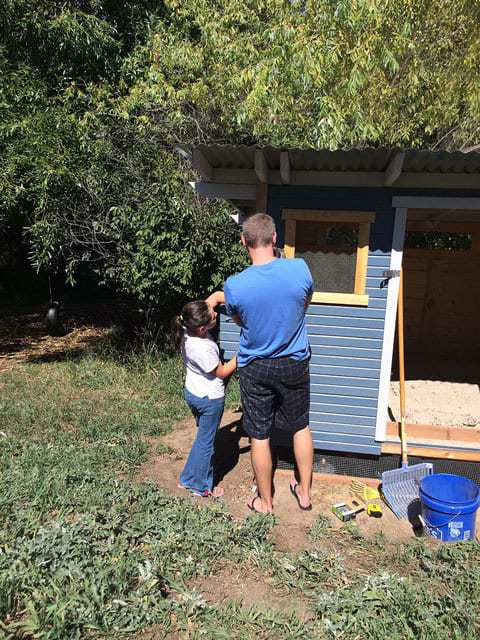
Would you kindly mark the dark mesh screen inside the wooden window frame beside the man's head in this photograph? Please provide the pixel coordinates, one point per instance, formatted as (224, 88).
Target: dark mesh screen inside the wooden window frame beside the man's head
(330, 250)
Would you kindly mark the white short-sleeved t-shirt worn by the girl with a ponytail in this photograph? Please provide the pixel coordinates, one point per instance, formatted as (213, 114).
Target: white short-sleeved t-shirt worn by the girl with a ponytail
(201, 356)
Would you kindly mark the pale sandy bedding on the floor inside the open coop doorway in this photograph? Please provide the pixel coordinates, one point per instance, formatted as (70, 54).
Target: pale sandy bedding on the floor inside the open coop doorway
(438, 402)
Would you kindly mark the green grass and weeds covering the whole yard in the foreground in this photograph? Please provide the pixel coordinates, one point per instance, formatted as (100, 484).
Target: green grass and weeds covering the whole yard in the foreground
(87, 552)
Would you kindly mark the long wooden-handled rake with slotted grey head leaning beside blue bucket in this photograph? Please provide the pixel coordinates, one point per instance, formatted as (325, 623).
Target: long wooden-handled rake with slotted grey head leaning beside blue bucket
(400, 486)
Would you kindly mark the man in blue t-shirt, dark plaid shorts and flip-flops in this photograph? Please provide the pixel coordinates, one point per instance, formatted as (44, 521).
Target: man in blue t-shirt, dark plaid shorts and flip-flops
(268, 300)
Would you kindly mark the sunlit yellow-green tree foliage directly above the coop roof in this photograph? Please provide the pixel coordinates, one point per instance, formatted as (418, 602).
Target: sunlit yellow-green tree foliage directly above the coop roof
(319, 73)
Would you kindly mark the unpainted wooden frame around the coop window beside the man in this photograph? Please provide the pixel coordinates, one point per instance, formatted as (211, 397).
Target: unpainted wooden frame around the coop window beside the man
(364, 219)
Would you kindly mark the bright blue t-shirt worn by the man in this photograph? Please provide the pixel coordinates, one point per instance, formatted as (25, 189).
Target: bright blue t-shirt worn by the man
(270, 301)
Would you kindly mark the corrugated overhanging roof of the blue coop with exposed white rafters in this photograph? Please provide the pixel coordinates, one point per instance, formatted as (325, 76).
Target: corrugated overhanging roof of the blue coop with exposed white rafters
(233, 171)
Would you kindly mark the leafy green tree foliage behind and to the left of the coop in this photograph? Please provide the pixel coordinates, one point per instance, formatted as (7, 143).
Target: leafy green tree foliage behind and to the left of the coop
(94, 95)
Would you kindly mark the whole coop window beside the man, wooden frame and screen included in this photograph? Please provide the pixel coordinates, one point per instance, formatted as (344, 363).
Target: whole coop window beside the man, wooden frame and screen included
(334, 244)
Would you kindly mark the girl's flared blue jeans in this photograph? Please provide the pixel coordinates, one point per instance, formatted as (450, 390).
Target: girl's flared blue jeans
(197, 474)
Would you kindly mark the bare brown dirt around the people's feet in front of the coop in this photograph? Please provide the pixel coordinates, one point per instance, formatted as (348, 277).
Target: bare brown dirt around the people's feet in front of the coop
(233, 459)
